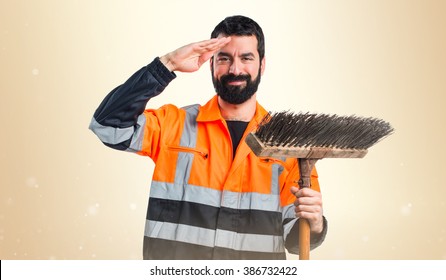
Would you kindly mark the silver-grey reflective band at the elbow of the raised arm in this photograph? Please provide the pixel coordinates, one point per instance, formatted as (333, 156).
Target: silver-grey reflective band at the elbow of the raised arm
(110, 135)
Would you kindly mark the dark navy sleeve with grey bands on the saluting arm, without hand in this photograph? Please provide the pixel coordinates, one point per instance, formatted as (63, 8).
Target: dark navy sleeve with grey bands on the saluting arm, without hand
(118, 121)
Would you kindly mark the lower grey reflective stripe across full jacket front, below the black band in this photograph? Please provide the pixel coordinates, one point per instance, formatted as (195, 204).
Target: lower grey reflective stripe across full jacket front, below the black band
(211, 238)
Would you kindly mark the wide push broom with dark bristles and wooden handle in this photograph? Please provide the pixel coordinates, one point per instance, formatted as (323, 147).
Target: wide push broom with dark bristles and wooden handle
(310, 137)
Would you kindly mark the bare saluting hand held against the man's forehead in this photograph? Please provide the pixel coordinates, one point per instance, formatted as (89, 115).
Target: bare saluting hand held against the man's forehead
(189, 58)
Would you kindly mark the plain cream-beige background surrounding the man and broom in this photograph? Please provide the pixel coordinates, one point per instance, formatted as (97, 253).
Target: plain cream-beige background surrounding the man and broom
(64, 195)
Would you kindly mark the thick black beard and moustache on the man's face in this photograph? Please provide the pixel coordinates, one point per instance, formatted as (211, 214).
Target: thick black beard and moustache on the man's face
(235, 94)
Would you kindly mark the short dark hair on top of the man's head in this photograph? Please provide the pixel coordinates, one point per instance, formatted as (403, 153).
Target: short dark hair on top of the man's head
(241, 26)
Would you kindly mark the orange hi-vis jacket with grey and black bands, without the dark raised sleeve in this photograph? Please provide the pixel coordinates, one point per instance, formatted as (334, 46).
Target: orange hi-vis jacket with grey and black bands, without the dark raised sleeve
(203, 203)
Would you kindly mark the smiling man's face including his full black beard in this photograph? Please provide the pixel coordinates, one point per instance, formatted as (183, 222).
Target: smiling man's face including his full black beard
(236, 69)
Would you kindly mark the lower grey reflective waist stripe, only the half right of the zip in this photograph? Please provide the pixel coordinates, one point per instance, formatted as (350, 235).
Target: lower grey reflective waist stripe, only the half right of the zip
(249, 242)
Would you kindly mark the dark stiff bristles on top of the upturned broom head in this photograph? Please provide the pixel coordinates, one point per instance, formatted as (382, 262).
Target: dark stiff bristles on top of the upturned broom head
(288, 129)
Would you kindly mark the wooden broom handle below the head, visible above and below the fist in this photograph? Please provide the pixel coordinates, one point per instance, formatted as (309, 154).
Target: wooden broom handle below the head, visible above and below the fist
(305, 167)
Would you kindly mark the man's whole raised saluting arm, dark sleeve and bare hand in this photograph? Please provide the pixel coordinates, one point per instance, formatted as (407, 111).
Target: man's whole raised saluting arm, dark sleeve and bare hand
(118, 120)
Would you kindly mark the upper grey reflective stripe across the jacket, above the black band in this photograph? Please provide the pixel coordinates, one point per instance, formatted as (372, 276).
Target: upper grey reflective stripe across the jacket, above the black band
(211, 197)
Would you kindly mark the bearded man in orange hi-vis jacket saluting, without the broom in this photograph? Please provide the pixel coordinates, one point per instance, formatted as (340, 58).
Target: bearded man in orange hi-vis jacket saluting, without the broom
(211, 197)
